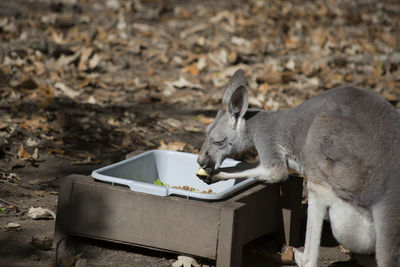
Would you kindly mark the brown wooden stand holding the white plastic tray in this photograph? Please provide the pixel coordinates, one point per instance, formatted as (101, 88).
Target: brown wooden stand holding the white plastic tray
(214, 230)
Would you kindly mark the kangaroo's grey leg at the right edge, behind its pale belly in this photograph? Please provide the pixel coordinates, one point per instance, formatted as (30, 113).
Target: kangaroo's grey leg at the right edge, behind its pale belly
(387, 225)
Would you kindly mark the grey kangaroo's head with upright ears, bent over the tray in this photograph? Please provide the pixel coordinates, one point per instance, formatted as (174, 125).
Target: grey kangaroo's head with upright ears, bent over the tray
(226, 136)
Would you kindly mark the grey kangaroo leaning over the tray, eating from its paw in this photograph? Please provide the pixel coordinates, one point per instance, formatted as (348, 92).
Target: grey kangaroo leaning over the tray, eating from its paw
(346, 141)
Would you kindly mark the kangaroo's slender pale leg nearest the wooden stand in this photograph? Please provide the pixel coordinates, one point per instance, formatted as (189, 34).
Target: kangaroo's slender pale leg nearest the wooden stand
(315, 218)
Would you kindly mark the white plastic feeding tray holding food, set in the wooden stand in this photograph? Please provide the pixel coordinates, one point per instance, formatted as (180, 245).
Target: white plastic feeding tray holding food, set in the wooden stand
(172, 168)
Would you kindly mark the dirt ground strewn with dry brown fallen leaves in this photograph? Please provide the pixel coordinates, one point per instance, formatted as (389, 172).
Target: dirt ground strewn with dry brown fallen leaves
(84, 82)
